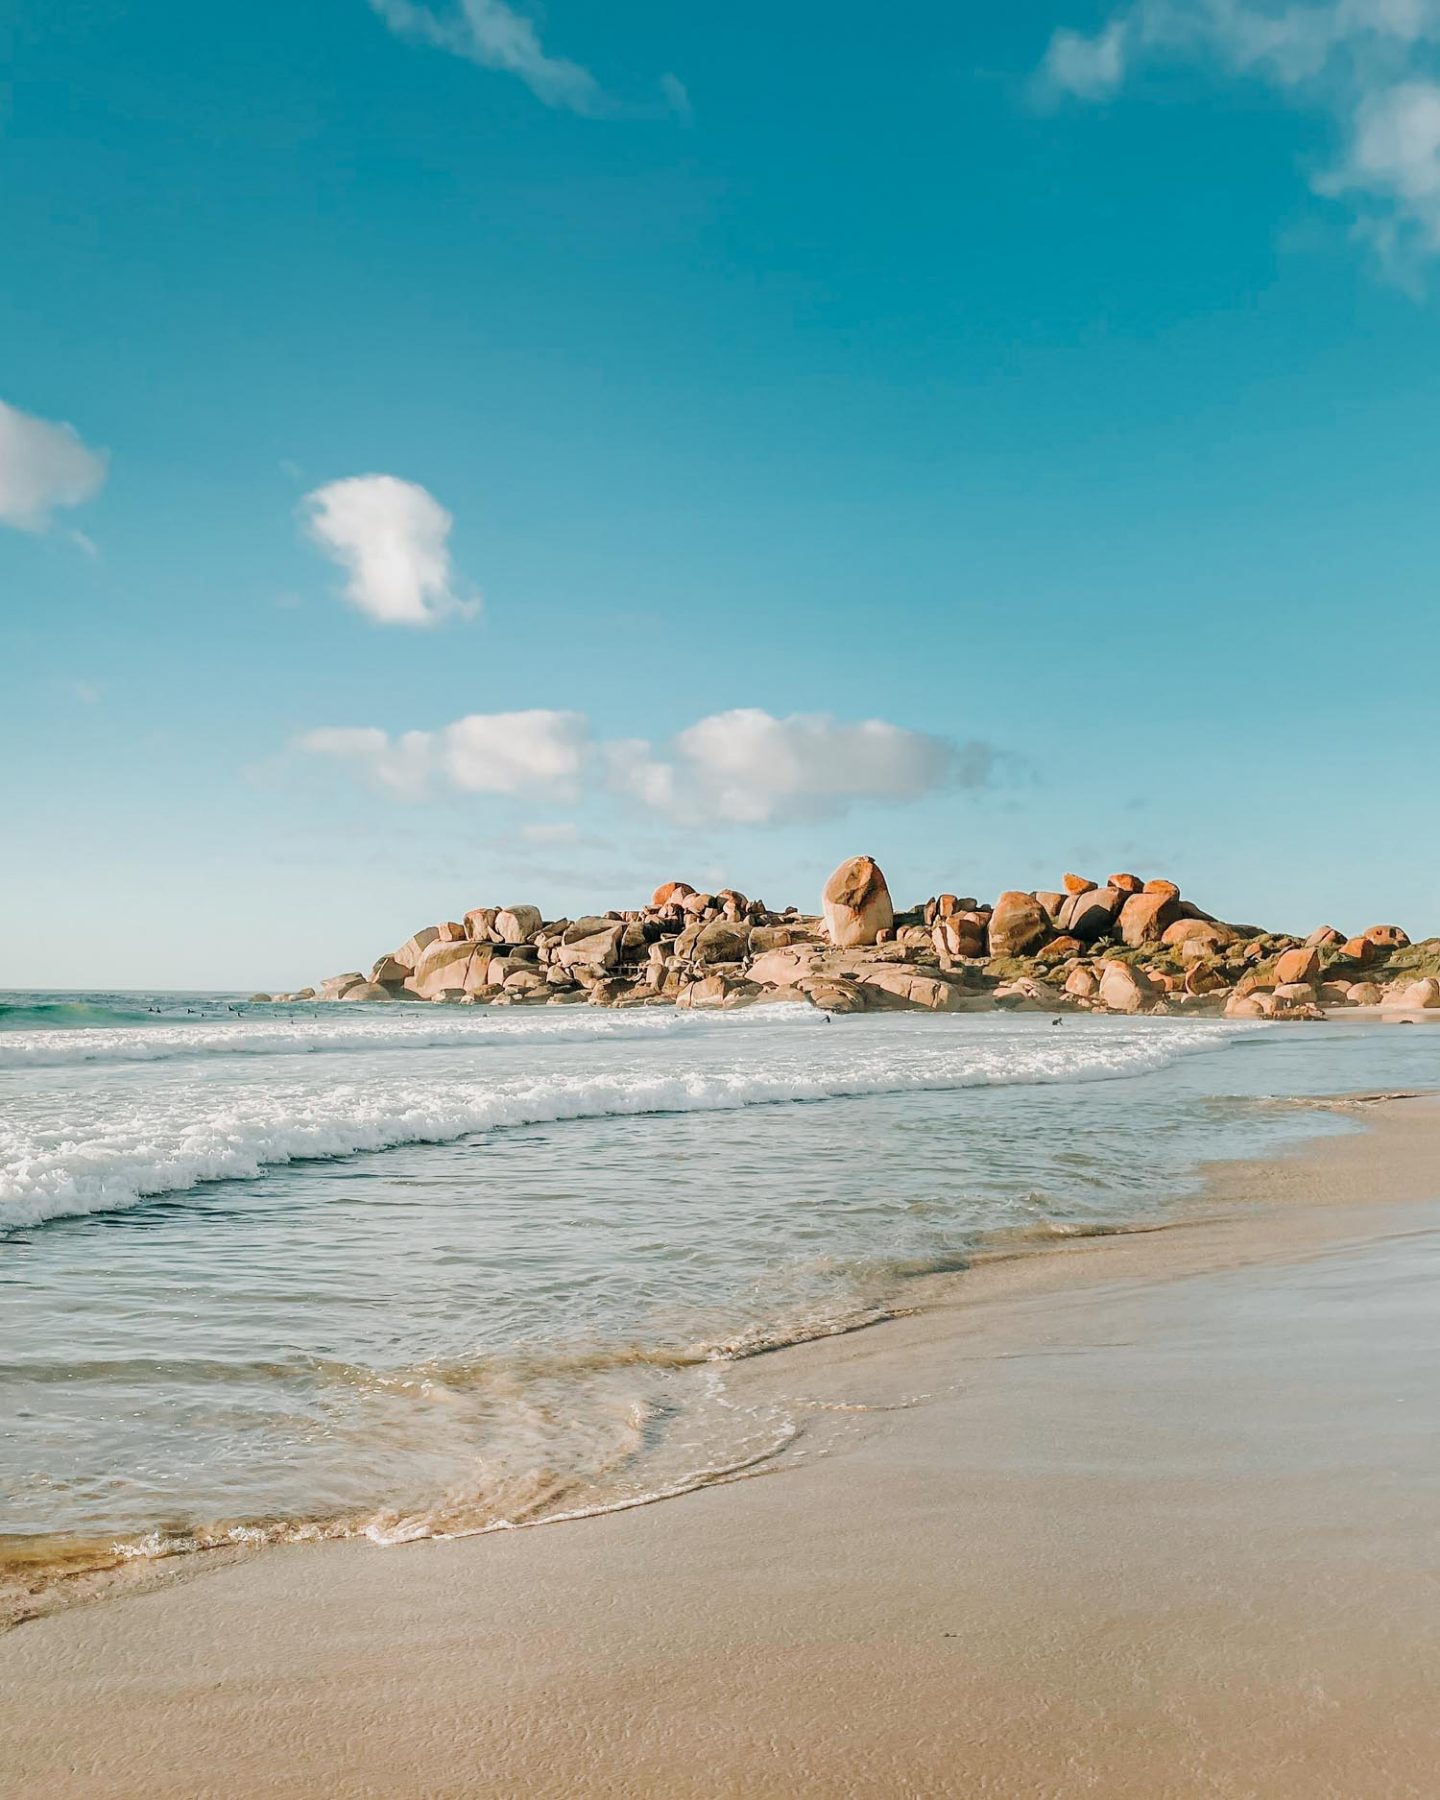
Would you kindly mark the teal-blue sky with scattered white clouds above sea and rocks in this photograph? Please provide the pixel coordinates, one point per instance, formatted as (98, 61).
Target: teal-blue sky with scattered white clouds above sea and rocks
(454, 454)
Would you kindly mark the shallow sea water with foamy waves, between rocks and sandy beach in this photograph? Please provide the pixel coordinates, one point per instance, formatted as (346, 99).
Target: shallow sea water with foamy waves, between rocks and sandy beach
(400, 1270)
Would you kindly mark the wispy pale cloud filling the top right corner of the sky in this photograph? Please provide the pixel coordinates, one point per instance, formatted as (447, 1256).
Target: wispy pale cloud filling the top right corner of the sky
(1372, 66)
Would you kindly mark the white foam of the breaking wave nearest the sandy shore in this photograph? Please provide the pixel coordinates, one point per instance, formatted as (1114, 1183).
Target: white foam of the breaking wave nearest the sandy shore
(118, 1146)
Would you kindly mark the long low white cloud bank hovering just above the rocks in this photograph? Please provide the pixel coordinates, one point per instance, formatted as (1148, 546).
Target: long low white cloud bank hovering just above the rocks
(741, 768)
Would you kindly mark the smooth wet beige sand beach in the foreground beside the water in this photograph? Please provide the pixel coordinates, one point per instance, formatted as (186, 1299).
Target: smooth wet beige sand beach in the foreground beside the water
(1156, 1515)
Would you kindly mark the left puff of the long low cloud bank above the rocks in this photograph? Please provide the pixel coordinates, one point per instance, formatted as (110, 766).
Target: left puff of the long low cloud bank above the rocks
(487, 753)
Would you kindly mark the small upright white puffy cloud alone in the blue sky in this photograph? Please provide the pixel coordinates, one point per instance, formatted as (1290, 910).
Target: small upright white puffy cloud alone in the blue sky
(393, 541)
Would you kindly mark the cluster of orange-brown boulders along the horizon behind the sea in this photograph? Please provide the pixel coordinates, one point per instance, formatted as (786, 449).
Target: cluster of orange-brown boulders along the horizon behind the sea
(1122, 946)
